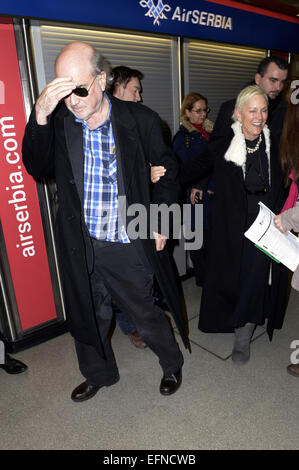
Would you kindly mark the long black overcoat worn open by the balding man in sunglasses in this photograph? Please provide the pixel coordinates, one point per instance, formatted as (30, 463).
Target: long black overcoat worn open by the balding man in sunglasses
(56, 149)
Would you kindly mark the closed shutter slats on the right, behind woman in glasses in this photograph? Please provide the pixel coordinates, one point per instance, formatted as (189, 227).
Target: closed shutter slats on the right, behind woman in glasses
(219, 71)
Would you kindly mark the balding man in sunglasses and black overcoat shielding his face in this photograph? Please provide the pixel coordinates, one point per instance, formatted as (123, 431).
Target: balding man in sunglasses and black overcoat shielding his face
(99, 148)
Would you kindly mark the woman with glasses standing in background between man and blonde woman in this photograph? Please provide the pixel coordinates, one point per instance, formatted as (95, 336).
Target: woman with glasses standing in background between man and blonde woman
(189, 142)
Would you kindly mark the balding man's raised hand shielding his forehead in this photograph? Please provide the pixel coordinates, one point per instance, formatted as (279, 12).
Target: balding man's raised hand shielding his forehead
(55, 91)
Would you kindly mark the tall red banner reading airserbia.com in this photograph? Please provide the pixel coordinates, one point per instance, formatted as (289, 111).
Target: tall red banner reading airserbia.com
(19, 211)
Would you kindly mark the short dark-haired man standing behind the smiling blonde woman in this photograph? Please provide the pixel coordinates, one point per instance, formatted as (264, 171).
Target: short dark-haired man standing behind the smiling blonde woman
(270, 77)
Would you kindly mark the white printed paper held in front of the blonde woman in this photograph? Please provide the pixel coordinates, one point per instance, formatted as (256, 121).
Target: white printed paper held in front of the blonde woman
(284, 248)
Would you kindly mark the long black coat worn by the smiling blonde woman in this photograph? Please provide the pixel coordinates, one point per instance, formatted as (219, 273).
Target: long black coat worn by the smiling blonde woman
(228, 224)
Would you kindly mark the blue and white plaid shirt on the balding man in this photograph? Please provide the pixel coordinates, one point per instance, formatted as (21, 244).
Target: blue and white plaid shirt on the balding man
(101, 209)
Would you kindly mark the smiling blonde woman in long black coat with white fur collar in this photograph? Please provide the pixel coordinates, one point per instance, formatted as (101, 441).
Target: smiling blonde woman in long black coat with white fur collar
(243, 287)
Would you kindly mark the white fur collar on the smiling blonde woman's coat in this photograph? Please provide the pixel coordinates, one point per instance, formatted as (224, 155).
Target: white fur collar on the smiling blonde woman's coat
(236, 152)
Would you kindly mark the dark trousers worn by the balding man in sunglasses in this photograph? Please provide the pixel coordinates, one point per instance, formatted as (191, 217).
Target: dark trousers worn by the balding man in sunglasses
(121, 276)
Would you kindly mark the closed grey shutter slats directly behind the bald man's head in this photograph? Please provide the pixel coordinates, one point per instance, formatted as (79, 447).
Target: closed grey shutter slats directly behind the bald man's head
(153, 56)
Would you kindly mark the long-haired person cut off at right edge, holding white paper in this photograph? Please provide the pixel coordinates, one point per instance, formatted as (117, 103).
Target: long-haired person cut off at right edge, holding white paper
(289, 155)
